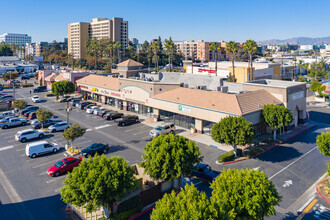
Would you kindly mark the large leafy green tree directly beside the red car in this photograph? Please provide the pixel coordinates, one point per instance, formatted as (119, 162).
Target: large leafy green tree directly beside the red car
(97, 182)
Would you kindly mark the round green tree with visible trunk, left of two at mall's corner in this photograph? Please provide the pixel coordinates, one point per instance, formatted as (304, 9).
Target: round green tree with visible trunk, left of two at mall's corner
(234, 131)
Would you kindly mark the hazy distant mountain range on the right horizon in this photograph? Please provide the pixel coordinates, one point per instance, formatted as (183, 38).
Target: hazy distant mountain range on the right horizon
(298, 40)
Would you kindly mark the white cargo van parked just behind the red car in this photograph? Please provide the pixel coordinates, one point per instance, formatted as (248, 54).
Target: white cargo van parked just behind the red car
(41, 147)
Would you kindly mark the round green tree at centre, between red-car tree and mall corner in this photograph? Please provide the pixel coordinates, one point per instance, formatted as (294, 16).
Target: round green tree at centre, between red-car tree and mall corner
(170, 156)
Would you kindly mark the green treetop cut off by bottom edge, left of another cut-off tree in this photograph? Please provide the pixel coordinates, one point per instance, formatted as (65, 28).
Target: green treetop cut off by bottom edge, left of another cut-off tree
(188, 204)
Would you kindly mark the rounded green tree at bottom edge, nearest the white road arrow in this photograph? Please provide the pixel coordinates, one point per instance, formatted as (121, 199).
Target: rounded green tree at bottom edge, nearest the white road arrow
(244, 194)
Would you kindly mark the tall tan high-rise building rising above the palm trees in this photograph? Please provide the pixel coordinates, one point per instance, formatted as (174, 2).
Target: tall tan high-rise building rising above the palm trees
(115, 29)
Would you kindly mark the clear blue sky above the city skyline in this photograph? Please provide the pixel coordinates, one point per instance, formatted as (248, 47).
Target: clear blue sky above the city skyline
(208, 20)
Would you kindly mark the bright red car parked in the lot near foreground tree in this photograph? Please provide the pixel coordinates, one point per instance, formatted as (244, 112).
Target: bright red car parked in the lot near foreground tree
(63, 166)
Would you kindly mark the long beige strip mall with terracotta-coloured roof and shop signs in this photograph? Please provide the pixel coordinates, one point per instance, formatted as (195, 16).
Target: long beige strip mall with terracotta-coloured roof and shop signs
(195, 108)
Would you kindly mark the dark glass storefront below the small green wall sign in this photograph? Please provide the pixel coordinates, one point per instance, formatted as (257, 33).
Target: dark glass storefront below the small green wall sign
(179, 120)
